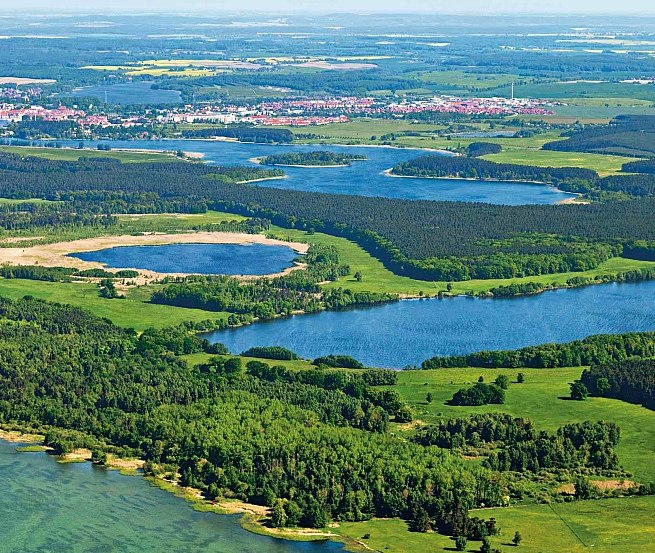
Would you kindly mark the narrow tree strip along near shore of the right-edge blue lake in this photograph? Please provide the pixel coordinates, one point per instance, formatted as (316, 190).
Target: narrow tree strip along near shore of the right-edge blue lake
(594, 350)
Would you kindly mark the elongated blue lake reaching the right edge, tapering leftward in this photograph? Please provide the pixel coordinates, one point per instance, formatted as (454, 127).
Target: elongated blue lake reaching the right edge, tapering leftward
(408, 332)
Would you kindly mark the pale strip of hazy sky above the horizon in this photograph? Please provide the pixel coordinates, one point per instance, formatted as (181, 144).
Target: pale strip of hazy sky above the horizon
(334, 6)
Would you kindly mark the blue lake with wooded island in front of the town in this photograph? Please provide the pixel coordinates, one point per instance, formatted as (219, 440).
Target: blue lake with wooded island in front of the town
(363, 178)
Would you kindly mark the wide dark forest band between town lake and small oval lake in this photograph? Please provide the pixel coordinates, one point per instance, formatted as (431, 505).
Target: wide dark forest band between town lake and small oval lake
(422, 239)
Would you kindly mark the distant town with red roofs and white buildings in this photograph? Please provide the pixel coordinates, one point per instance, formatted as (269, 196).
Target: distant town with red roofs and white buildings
(283, 113)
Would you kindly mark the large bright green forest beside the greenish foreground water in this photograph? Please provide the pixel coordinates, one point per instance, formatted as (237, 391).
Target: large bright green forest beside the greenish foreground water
(299, 446)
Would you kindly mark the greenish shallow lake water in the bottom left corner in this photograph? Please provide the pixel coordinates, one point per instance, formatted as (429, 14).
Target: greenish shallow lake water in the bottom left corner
(48, 506)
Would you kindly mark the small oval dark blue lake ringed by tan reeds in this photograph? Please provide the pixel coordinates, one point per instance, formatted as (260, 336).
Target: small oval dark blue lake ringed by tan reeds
(209, 259)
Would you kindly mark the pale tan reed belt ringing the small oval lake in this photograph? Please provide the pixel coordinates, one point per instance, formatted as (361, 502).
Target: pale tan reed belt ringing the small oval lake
(56, 255)
